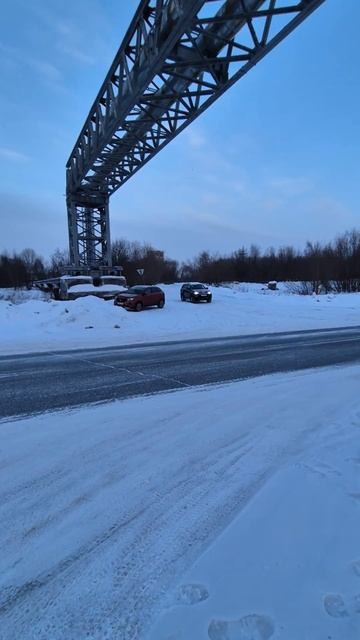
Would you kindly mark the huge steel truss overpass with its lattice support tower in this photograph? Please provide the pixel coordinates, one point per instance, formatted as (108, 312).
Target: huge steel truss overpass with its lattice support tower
(176, 59)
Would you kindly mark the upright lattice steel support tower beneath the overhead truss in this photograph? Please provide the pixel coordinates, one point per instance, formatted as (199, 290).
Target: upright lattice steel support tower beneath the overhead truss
(89, 234)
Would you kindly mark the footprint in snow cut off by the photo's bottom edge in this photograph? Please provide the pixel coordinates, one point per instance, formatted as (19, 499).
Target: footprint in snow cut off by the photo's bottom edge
(250, 627)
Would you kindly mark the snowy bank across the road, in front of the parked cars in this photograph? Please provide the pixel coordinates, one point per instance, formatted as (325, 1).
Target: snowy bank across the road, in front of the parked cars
(38, 325)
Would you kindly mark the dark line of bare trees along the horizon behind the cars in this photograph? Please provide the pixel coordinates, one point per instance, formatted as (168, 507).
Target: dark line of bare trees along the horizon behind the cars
(331, 266)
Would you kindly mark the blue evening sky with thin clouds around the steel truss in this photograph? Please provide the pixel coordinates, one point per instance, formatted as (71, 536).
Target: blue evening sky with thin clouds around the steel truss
(275, 161)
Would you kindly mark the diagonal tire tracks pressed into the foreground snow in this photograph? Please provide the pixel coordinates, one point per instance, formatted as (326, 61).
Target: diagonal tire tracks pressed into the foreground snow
(185, 505)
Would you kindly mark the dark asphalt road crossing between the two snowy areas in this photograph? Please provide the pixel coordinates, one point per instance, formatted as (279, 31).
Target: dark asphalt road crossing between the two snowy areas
(53, 380)
